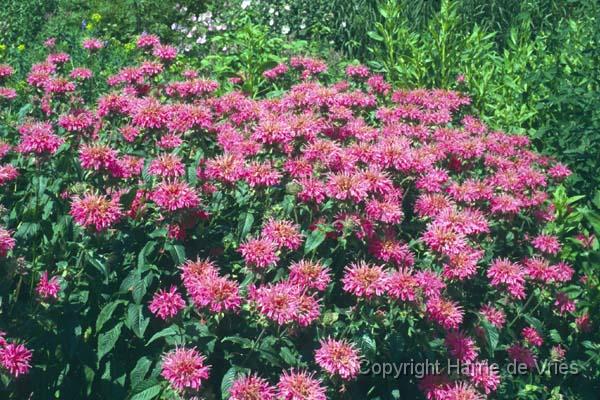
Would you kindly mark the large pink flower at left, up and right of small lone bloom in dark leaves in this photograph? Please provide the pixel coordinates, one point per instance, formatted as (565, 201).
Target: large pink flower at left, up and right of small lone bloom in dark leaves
(96, 210)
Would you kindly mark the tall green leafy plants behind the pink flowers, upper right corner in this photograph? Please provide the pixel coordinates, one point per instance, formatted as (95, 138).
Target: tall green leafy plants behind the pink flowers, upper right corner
(539, 75)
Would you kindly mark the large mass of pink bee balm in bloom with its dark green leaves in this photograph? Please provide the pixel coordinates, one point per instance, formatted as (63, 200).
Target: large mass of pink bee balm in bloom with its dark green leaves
(169, 238)
